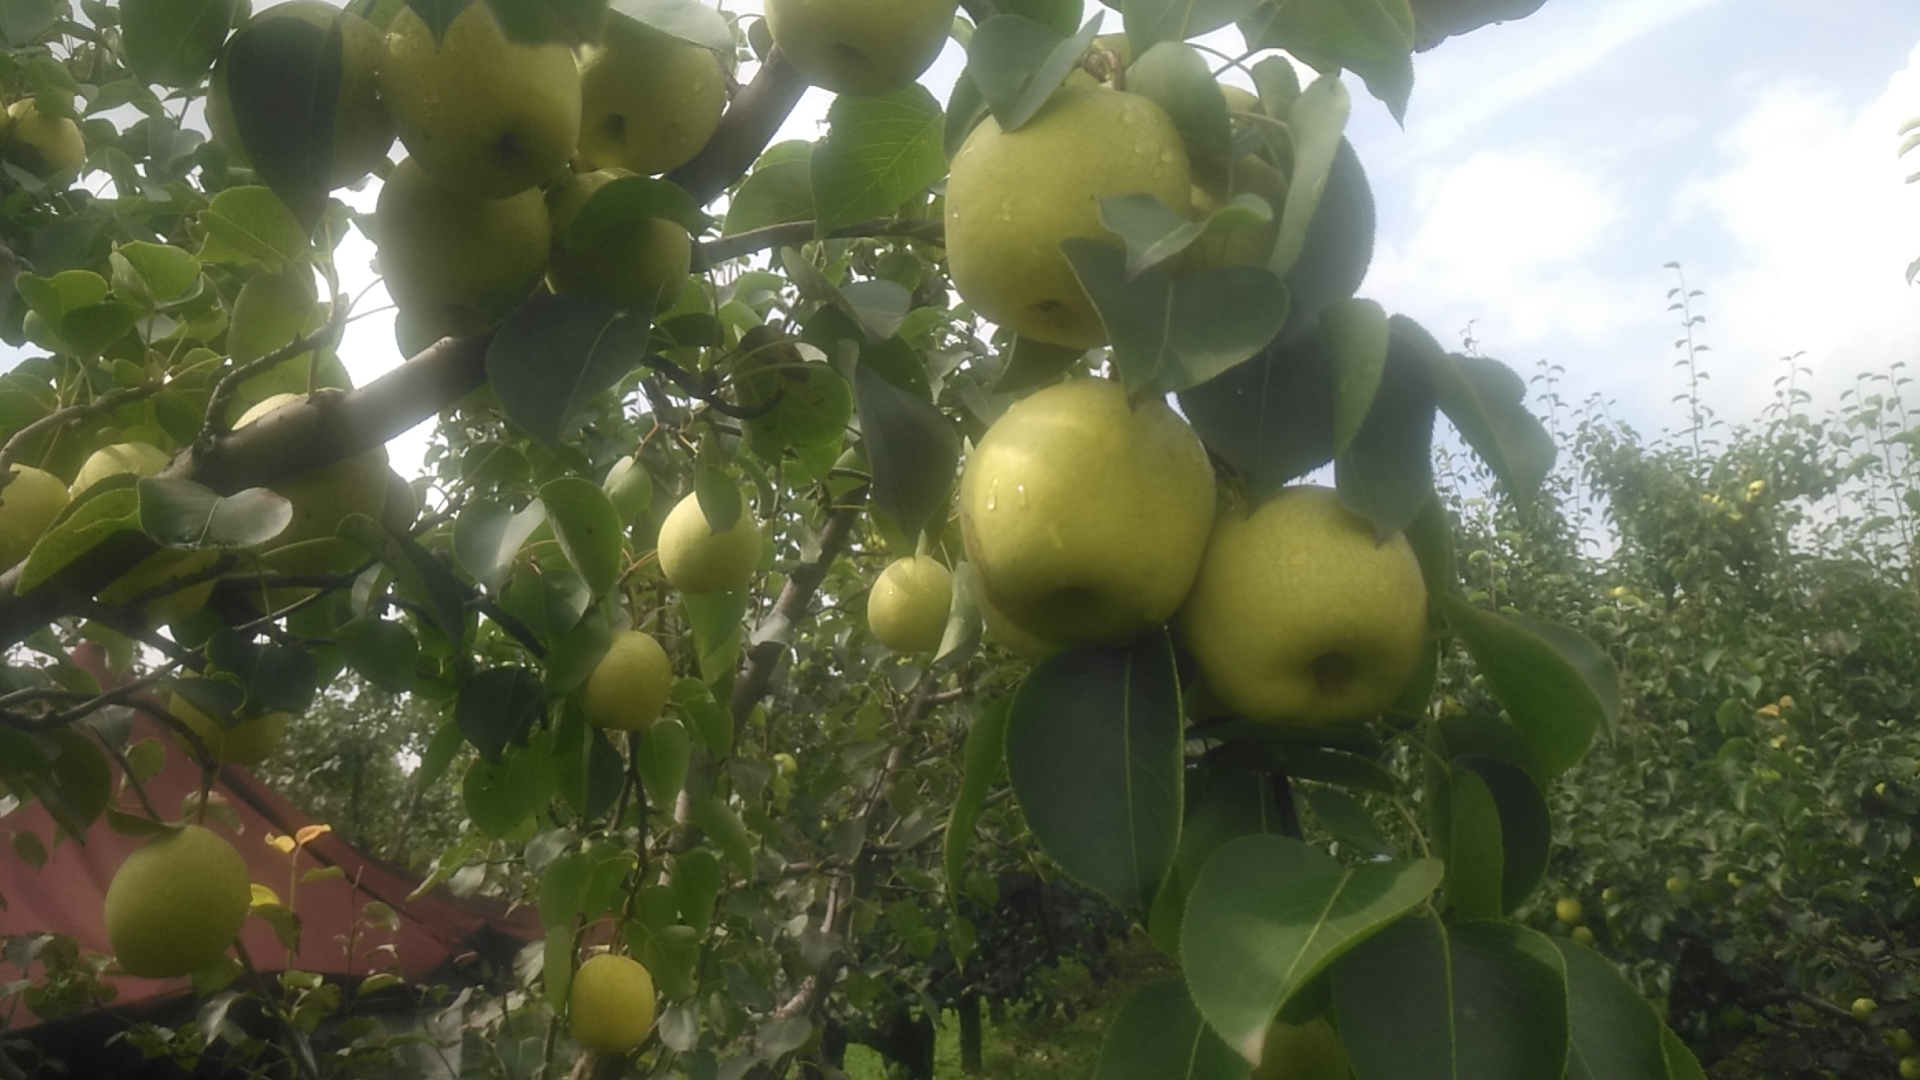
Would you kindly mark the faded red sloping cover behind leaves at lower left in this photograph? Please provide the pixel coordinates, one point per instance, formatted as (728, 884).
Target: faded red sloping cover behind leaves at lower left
(66, 896)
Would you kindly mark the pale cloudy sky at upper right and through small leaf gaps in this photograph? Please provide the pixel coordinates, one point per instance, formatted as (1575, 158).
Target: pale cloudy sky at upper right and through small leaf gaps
(1550, 168)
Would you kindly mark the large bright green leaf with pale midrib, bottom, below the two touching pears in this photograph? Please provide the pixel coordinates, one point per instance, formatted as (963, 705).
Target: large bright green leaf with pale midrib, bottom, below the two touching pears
(1268, 914)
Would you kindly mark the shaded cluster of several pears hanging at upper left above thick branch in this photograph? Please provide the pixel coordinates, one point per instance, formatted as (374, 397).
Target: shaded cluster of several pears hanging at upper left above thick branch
(506, 143)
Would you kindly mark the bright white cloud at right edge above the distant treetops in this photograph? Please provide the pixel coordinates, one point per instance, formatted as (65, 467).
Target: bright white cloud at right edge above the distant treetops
(1819, 230)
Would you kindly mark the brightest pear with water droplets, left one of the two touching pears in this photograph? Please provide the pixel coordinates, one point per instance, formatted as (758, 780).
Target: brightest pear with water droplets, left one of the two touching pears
(1086, 518)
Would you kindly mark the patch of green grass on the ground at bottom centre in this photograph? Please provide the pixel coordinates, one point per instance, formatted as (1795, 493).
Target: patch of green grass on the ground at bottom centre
(1055, 1048)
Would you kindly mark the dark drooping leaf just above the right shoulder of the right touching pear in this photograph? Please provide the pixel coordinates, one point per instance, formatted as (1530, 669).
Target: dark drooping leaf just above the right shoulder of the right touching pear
(1387, 470)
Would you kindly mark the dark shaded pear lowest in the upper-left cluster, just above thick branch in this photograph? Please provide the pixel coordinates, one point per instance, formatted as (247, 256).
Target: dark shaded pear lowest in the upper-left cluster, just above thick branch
(452, 262)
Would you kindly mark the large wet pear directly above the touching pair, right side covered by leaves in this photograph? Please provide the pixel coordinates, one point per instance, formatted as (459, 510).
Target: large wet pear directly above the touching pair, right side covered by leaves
(1015, 197)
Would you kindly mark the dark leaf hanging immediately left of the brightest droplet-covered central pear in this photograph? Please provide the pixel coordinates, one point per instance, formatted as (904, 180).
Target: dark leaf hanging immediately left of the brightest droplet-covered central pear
(911, 447)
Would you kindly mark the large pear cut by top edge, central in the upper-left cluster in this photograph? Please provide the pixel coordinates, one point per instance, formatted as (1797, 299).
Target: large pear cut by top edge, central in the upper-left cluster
(483, 114)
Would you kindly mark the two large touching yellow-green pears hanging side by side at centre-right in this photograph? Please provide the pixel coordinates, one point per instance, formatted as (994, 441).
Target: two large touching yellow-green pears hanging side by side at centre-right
(1092, 522)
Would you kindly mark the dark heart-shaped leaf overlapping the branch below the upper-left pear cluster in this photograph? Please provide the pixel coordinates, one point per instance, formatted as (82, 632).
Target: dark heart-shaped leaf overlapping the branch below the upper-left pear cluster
(560, 353)
